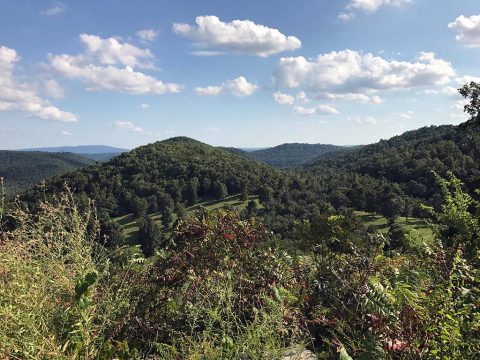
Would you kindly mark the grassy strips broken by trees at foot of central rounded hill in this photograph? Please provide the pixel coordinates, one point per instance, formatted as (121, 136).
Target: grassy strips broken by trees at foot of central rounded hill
(129, 222)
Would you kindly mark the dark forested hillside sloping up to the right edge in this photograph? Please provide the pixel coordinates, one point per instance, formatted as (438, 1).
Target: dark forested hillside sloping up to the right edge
(409, 159)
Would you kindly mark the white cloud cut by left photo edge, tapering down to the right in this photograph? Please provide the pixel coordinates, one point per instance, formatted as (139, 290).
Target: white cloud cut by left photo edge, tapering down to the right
(15, 95)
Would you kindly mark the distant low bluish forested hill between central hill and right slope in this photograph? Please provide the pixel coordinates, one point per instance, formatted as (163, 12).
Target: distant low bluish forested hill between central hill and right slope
(293, 155)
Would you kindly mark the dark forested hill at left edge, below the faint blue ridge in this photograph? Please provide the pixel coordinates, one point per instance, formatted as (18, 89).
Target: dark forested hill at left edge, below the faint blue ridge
(23, 169)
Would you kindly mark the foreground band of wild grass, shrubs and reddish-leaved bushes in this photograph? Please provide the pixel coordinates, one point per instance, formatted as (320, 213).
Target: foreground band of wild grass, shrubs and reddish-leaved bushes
(226, 288)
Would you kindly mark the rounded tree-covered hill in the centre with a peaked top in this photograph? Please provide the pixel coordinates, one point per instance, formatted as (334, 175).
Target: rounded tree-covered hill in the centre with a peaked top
(163, 174)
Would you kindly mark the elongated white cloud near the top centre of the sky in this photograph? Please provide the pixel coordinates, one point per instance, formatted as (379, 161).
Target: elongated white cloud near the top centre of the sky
(238, 36)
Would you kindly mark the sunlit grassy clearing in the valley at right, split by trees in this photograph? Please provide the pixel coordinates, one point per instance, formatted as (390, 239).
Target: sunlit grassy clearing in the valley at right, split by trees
(418, 228)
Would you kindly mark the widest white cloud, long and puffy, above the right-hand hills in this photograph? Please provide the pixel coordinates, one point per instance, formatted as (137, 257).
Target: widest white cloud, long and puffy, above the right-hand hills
(349, 71)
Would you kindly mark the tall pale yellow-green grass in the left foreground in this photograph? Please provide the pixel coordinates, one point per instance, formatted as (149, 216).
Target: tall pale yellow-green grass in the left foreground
(44, 261)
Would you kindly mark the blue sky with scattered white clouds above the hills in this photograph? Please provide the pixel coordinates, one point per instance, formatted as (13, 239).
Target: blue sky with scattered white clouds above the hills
(232, 73)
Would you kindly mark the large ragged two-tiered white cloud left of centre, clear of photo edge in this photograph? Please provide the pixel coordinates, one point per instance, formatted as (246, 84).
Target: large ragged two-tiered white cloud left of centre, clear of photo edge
(108, 64)
